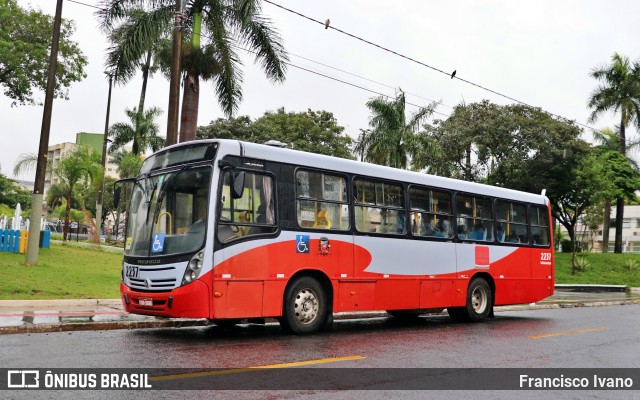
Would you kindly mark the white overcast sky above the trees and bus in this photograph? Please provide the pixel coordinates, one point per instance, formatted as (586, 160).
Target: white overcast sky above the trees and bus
(539, 52)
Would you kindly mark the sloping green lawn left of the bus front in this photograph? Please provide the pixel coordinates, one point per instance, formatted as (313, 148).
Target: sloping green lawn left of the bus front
(65, 271)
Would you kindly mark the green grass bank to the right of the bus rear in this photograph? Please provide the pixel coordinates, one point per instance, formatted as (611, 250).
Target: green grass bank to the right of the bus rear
(604, 268)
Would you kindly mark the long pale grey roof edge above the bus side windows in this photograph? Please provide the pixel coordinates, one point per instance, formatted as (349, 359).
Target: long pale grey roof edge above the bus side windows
(320, 161)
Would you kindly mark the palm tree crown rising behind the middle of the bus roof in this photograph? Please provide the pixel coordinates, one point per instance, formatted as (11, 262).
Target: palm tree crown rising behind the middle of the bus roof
(392, 141)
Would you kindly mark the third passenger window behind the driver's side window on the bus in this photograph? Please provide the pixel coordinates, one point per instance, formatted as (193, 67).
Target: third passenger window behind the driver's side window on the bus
(430, 213)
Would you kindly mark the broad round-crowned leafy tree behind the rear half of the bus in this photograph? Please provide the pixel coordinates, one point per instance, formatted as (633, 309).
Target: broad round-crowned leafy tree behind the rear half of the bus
(489, 143)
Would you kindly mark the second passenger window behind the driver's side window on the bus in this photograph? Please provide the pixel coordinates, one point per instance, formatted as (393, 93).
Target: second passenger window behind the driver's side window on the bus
(379, 207)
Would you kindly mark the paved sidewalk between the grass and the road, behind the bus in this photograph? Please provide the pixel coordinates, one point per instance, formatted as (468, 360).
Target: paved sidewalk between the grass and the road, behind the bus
(39, 316)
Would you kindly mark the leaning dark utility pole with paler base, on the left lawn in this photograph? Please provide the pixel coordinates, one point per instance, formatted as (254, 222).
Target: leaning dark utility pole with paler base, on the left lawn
(43, 150)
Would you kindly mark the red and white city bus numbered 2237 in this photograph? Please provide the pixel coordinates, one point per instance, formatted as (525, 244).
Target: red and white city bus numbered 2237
(227, 230)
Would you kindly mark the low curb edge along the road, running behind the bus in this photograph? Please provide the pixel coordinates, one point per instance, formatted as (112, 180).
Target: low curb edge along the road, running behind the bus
(183, 323)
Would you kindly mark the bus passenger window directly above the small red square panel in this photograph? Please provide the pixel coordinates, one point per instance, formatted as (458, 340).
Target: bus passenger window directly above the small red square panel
(474, 218)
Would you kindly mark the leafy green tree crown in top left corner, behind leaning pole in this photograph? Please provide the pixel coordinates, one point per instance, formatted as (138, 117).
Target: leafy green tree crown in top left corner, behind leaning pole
(25, 42)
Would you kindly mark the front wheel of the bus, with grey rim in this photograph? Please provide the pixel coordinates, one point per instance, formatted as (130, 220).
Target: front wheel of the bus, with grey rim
(305, 308)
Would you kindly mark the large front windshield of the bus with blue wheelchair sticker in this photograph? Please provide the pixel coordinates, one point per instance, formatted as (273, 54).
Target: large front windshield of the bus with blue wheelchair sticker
(168, 213)
